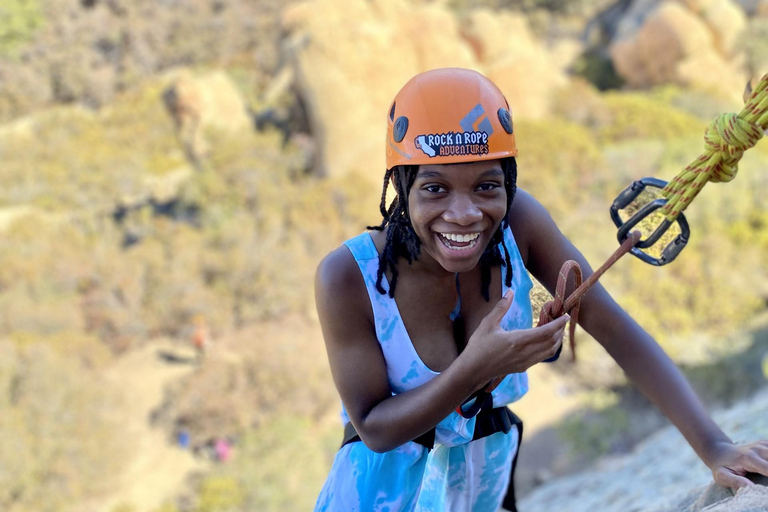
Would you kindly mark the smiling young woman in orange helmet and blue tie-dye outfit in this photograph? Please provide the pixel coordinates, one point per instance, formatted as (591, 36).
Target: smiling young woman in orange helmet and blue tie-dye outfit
(421, 313)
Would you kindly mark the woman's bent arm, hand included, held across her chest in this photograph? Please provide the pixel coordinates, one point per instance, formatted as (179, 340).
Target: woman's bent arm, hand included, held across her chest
(359, 371)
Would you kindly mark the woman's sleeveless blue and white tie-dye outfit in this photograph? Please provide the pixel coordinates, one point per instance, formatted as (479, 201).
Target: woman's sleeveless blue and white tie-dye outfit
(458, 474)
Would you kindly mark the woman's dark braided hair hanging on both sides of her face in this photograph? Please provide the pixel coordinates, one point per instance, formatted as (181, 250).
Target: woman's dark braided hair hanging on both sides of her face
(402, 241)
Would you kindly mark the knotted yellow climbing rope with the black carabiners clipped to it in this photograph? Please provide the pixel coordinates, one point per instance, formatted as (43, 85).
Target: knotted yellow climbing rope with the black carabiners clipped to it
(725, 140)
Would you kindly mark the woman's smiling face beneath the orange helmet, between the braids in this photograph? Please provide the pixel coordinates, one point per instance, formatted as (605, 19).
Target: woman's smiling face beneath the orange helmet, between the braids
(455, 209)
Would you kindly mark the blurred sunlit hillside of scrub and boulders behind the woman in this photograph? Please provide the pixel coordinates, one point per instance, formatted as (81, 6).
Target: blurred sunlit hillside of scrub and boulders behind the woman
(173, 171)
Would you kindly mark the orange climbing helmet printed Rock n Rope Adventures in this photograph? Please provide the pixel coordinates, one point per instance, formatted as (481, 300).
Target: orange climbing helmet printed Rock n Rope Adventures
(448, 116)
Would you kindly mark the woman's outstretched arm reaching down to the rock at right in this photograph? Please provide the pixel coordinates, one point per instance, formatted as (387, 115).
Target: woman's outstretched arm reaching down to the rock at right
(634, 350)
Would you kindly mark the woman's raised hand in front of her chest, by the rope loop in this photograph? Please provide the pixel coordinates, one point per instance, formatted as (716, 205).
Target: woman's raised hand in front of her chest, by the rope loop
(498, 352)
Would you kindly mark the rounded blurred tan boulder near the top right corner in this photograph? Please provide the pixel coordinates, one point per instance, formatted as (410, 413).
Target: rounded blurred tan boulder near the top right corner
(687, 42)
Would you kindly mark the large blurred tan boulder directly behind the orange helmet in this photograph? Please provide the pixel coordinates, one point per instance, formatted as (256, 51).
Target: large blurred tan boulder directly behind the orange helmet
(352, 56)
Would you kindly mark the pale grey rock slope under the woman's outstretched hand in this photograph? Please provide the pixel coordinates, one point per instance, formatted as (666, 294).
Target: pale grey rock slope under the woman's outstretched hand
(662, 475)
